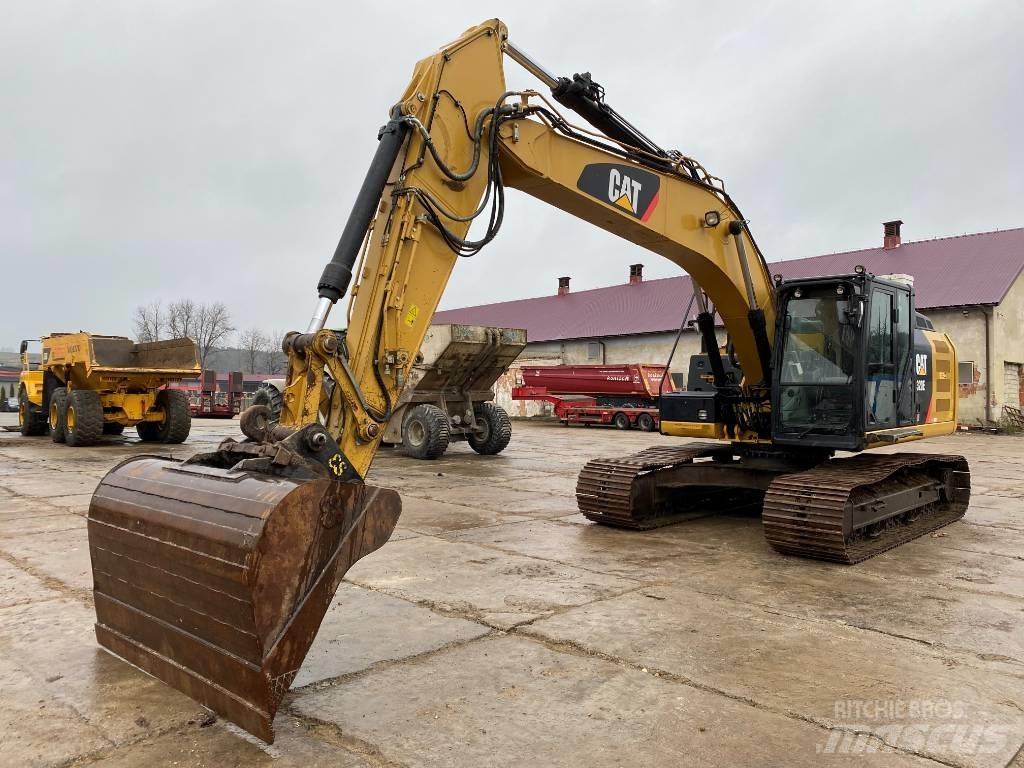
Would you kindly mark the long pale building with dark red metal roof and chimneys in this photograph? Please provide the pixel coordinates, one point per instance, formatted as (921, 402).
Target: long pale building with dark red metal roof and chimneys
(970, 286)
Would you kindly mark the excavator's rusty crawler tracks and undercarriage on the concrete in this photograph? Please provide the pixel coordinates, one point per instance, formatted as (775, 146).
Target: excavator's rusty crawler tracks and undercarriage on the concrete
(845, 510)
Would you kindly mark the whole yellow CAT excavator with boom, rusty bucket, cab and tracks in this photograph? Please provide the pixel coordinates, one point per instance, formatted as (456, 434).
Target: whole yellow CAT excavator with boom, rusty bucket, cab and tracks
(215, 574)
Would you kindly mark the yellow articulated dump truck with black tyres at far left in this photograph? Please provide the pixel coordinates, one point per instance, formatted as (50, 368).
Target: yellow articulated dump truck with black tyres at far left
(87, 387)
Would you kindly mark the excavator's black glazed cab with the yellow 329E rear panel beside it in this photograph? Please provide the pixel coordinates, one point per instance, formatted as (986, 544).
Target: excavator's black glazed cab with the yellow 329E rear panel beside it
(854, 364)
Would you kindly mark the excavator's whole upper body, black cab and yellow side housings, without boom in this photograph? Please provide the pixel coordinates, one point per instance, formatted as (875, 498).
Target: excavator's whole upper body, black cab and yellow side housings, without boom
(854, 366)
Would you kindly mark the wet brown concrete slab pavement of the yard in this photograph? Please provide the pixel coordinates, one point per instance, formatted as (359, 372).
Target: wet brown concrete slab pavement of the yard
(499, 628)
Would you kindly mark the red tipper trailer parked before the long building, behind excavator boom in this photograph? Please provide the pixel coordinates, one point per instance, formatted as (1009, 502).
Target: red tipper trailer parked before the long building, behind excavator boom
(625, 396)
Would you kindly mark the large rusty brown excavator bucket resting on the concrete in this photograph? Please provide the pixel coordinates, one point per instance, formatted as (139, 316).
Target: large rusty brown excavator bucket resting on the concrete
(216, 581)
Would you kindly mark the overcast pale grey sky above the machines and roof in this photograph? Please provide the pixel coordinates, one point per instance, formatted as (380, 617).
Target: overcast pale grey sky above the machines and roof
(212, 150)
